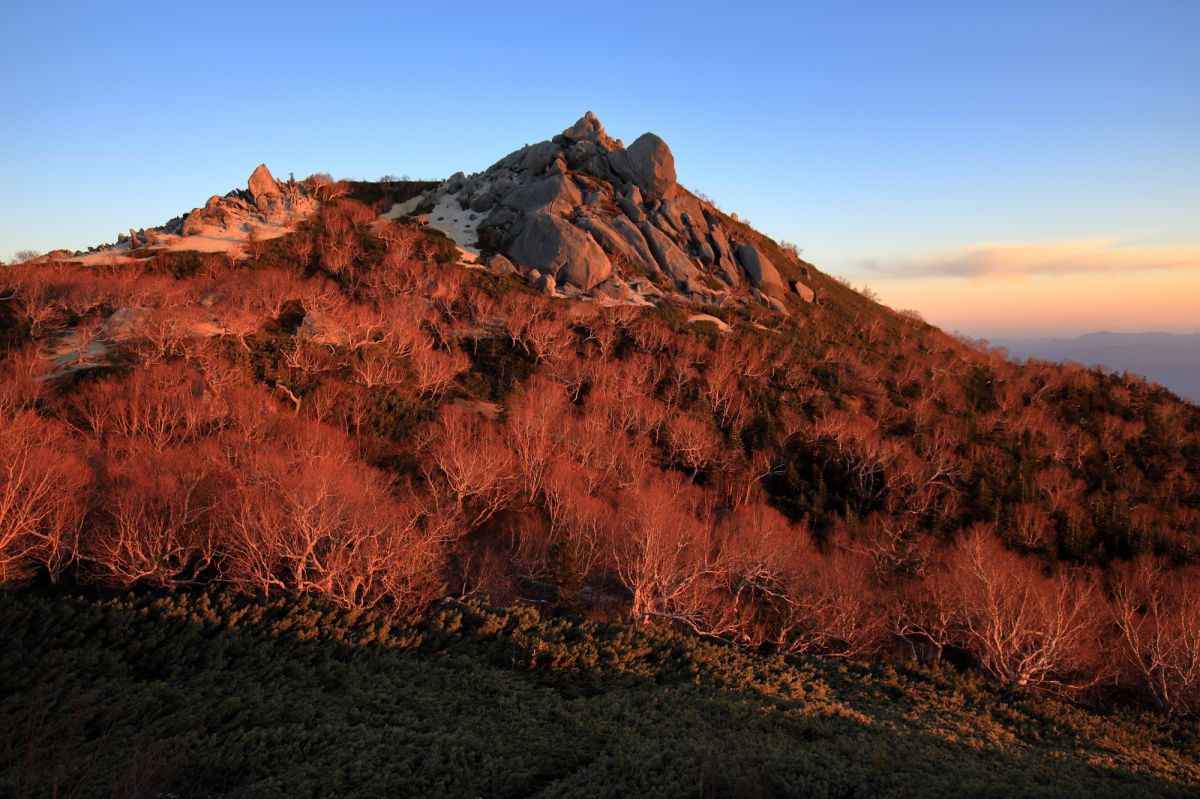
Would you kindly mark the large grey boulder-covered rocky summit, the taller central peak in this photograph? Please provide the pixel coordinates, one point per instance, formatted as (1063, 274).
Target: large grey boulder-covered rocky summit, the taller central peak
(604, 220)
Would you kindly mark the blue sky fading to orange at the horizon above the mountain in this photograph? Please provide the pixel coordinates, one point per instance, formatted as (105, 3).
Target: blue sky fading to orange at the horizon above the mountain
(1005, 169)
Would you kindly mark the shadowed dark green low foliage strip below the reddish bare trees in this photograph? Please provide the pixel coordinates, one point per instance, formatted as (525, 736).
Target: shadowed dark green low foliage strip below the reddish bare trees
(211, 695)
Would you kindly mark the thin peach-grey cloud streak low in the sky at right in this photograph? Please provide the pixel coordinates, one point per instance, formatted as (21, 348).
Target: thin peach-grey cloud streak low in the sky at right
(1022, 260)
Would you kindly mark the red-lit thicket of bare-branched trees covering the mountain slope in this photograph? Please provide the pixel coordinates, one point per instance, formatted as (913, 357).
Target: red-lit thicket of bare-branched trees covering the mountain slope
(349, 413)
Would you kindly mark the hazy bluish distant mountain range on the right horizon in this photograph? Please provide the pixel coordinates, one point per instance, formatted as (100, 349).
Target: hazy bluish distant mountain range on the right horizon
(1172, 361)
